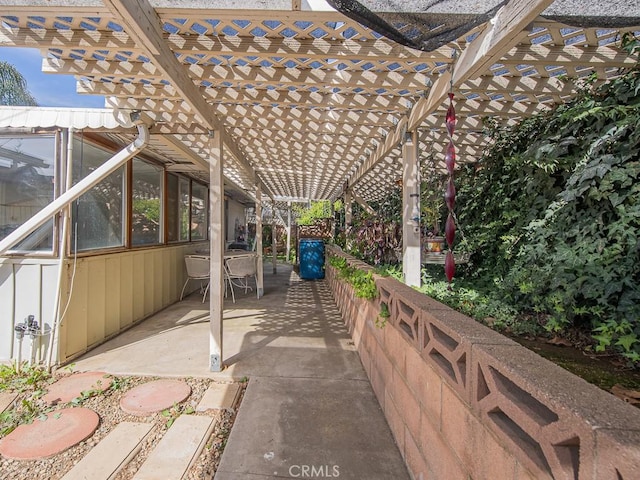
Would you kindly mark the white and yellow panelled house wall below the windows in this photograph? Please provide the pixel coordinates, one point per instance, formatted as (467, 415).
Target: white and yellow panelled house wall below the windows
(108, 294)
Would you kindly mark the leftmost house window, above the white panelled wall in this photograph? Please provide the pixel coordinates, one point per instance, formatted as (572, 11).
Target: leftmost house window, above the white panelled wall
(27, 168)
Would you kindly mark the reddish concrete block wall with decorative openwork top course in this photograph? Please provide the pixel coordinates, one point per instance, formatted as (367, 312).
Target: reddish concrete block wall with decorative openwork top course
(464, 402)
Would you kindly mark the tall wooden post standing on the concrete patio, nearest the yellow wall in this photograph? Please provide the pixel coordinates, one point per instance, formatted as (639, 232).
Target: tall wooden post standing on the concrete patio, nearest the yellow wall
(216, 240)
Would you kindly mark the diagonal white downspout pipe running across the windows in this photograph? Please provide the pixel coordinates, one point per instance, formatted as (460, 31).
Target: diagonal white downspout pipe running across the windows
(77, 190)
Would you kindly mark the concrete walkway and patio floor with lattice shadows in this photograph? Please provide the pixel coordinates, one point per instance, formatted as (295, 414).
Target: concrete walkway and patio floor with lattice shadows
(308, 411)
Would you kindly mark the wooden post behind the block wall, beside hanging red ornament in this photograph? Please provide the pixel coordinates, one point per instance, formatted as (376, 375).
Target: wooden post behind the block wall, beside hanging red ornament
(411, 261)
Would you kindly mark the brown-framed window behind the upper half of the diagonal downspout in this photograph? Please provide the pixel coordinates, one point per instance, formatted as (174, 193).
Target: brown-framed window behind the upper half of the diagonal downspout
(98, 215)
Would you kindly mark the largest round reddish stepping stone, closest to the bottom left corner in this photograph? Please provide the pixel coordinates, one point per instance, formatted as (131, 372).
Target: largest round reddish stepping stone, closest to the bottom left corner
(45, 438)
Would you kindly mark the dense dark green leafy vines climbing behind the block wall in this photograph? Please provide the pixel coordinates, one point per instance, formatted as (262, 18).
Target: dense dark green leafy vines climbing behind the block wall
(552, 215)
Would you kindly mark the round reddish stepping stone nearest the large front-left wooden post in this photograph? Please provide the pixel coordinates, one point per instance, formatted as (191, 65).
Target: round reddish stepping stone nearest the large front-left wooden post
(154, 397)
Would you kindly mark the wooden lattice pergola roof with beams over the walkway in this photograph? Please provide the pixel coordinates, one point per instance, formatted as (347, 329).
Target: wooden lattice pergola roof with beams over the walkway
(312, 100)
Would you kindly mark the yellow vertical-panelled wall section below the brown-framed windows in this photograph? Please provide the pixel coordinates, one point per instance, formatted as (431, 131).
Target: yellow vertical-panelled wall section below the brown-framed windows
(112, 292)
